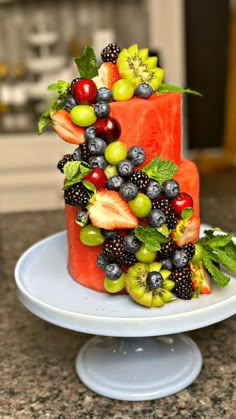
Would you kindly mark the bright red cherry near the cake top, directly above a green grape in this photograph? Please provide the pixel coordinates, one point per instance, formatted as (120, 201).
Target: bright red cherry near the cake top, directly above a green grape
(84, 91)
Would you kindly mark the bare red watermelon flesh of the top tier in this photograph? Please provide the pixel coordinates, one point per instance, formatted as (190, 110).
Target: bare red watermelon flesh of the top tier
(153, 123)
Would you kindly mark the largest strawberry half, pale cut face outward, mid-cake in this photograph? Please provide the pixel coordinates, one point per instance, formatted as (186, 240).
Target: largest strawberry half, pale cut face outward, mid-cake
(108, 210)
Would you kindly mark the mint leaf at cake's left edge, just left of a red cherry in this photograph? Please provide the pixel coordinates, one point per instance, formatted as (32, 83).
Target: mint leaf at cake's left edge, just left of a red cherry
(75, 171)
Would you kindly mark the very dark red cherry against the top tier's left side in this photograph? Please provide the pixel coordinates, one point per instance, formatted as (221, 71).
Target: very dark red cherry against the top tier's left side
(108, 128)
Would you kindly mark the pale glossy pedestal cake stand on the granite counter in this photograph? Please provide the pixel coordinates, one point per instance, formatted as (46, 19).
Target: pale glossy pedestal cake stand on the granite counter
(139, 353)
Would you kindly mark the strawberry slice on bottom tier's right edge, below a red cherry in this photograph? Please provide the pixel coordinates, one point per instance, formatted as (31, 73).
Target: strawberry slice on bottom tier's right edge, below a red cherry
(187, 231)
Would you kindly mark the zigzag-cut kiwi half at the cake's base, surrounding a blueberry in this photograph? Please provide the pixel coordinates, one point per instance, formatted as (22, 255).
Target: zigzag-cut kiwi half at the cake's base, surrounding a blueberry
(139, 290)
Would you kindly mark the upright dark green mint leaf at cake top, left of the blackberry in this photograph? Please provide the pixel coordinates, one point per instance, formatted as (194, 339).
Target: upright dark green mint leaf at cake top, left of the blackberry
(87, 63)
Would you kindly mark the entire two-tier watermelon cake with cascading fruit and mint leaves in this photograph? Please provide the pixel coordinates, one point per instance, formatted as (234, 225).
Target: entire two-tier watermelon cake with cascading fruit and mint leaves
(131, 200)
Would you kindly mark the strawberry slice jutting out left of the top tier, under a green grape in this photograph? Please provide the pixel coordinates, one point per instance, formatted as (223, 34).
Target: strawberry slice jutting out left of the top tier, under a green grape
(66, 129)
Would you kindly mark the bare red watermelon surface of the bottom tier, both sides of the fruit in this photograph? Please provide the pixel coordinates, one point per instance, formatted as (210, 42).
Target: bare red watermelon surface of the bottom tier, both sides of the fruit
(82, 259)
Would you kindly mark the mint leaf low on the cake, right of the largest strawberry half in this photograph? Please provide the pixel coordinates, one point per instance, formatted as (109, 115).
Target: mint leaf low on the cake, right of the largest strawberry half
(150, 237)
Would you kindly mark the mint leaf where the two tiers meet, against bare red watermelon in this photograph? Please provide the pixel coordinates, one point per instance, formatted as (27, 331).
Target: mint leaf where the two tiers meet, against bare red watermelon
(160, 170)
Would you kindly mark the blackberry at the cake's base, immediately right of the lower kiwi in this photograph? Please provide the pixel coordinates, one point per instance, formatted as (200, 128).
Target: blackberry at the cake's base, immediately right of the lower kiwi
(183, 283)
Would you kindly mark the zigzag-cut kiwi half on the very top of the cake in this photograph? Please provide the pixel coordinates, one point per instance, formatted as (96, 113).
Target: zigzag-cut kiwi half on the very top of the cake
(136, 65)
